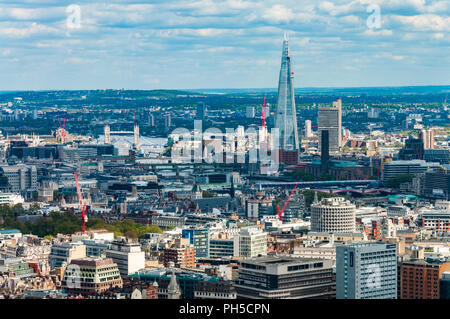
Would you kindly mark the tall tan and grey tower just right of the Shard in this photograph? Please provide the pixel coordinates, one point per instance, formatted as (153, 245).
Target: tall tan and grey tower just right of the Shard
(330, 119)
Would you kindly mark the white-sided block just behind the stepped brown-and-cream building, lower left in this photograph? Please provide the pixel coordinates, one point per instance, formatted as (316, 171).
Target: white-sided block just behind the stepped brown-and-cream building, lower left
(127, 255)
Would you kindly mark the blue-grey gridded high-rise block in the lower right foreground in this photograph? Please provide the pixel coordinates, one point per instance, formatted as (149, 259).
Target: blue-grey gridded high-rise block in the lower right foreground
(366, 271)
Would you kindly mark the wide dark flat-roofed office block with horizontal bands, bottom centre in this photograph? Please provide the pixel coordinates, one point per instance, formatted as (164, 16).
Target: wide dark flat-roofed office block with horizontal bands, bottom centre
(285, 278)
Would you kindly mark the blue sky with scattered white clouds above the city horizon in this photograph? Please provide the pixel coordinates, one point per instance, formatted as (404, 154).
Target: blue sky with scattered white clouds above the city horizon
(194, 44)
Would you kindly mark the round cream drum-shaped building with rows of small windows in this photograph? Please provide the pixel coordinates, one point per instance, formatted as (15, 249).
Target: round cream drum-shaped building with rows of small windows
(334, 214)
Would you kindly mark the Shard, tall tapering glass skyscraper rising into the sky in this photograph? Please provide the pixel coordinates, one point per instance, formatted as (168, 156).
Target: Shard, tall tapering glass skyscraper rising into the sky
(285, 117)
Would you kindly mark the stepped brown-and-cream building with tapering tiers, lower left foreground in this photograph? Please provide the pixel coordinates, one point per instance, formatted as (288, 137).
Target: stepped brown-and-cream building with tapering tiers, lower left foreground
(89, 276)
